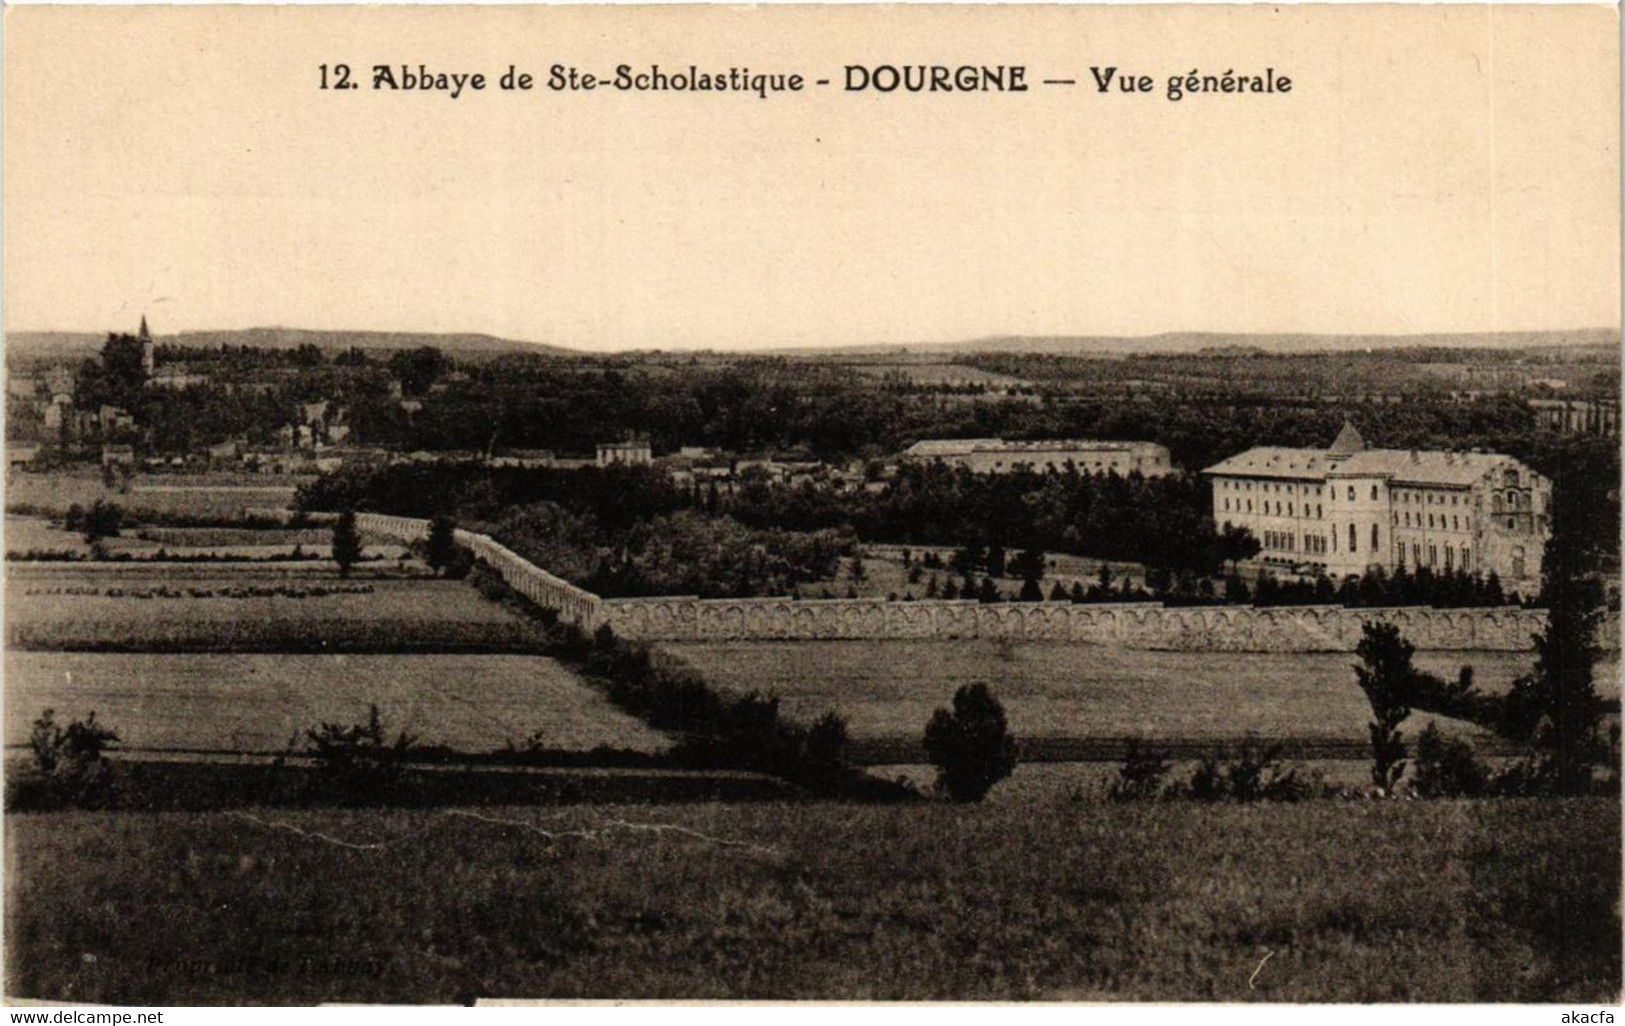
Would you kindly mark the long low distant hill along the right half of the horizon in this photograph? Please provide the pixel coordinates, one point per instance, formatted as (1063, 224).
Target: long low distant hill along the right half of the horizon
(1231, 346)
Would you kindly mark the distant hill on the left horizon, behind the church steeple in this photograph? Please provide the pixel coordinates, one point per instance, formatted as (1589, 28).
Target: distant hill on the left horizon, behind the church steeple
(33, 346)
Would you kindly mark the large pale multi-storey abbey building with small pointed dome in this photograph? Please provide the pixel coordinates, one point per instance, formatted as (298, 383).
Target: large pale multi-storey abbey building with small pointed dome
(1348, 508)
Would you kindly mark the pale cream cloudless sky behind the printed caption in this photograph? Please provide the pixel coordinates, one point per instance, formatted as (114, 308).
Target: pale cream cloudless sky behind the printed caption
(1434, 170)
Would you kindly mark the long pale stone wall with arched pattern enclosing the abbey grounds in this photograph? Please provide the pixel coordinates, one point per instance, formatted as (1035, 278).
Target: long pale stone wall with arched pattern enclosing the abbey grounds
(1130, 625)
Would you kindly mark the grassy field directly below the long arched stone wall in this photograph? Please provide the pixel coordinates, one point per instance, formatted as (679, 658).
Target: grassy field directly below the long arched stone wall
(890, 690)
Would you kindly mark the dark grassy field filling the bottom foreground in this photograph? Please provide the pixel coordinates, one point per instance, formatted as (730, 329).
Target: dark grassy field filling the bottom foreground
(1328, 902)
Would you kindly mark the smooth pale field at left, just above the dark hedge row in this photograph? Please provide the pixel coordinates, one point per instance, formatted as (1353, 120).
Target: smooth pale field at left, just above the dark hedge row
(258, 703)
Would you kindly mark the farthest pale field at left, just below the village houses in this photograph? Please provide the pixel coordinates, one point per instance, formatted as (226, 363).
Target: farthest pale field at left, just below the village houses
(215, 495)
